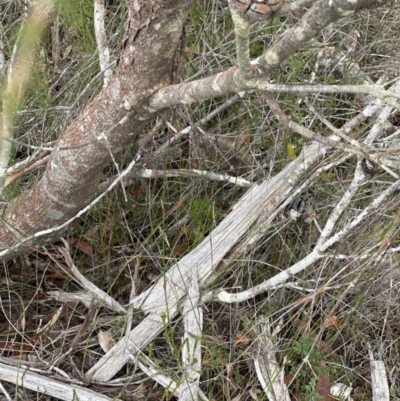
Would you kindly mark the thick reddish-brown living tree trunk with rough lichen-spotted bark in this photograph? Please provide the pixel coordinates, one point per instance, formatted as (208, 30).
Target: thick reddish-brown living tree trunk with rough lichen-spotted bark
(148, 58)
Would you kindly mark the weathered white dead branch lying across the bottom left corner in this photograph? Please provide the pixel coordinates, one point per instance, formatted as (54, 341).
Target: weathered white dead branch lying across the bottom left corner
(24, 377)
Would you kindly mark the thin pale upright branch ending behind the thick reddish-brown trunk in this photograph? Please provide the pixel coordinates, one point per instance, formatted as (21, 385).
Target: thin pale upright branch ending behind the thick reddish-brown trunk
(101, 40)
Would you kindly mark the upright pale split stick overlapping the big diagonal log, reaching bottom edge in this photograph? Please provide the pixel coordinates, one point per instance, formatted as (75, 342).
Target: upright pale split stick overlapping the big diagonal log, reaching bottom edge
(191, 347)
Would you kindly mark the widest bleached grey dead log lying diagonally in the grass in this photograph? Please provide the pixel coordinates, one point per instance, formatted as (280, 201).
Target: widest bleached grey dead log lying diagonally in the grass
(162, 299)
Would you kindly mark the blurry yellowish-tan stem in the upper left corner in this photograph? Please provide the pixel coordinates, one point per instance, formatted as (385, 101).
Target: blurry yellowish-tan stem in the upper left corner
(20, 69)
